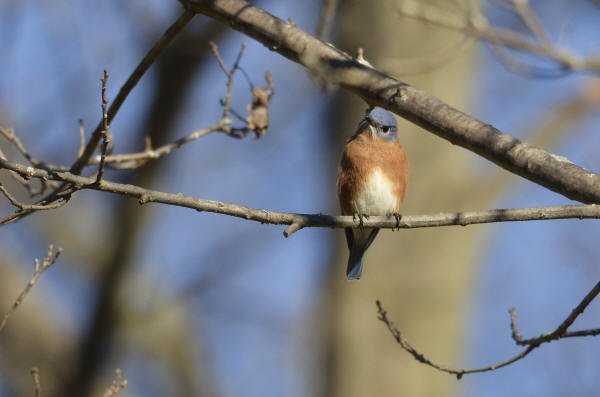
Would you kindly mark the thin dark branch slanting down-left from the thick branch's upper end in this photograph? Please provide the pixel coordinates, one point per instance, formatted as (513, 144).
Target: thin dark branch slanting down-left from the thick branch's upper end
(131, 82)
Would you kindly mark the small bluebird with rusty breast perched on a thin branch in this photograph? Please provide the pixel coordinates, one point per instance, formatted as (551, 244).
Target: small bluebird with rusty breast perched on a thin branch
(372, 180)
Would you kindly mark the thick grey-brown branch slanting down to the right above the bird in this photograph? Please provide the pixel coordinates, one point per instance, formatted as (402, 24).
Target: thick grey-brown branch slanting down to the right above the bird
(377, 89)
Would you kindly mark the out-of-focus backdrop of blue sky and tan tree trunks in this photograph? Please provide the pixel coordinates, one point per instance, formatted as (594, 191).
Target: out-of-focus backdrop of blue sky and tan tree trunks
(189, 303)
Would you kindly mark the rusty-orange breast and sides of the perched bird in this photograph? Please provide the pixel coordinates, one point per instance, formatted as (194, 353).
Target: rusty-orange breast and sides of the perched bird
(362, 155)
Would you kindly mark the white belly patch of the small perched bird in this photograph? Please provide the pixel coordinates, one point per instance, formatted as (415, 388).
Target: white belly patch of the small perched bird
(377, 196)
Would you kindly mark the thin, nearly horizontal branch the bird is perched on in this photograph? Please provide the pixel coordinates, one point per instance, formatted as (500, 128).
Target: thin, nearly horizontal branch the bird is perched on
(299, 221)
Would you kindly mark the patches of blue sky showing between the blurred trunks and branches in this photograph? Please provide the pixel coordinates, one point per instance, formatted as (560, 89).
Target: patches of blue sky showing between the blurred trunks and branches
(250, 319)
